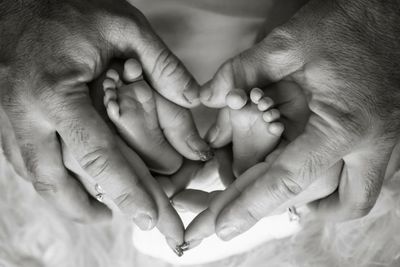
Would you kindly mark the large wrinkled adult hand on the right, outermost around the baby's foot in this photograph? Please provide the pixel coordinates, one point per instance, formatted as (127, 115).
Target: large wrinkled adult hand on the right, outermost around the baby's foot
(344, 56)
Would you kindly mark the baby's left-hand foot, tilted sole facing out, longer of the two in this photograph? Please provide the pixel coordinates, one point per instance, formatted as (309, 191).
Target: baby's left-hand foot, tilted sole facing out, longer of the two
(131, 106)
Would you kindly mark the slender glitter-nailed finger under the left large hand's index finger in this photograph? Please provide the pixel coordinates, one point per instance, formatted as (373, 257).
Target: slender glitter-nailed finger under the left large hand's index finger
(169, 222)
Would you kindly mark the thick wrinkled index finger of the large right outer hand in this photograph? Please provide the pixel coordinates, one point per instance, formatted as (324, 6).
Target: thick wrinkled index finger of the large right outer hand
(302, 162)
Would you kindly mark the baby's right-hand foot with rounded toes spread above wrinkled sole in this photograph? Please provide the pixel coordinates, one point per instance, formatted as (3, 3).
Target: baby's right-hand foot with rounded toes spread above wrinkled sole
(255, 129)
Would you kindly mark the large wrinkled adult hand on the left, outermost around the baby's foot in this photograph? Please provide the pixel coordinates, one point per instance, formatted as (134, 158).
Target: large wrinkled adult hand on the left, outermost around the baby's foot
(49, 51)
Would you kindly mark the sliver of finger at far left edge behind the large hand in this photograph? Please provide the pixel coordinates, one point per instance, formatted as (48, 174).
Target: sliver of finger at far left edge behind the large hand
(9, 146)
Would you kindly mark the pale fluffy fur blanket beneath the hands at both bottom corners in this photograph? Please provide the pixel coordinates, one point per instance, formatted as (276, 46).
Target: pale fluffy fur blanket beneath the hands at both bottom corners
(32, 234)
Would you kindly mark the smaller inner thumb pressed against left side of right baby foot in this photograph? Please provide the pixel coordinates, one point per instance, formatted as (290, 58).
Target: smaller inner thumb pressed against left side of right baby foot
(220, 134)
